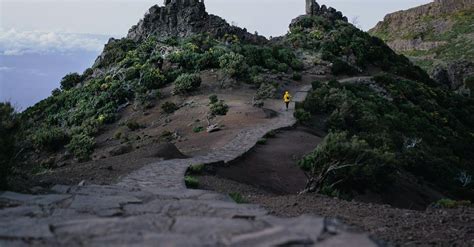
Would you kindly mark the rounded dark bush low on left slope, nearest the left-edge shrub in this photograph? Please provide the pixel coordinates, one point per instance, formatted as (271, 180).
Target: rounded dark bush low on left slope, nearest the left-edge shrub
(49, 138)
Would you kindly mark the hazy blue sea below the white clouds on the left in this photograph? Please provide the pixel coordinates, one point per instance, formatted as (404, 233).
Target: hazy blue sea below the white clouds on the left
(29, 78)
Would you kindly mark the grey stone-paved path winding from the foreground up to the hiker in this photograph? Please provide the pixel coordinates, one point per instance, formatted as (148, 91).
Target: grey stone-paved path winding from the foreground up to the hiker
(152, 207)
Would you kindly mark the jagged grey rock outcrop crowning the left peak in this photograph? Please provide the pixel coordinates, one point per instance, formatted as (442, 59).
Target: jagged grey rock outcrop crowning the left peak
(183, 18)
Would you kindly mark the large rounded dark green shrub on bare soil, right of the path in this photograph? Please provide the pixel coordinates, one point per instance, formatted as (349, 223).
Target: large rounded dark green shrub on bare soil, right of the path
(344, 163)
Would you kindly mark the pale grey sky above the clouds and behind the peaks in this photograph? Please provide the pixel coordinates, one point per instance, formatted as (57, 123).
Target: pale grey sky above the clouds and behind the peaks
(55, 24)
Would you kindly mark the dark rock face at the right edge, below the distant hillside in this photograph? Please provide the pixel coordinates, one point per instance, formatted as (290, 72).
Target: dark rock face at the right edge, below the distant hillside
(452, 75)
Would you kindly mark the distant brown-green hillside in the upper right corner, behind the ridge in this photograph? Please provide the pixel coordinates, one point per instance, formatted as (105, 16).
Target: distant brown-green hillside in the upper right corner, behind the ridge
(438, 36)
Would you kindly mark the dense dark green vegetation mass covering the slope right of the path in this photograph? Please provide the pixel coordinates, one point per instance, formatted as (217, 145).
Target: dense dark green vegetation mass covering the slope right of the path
(413, 127)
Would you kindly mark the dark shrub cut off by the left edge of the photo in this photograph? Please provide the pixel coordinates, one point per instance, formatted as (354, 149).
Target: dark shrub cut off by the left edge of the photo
(8, 127)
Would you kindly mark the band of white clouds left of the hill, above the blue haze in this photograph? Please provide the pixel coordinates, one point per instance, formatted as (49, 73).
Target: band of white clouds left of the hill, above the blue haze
(13, 42)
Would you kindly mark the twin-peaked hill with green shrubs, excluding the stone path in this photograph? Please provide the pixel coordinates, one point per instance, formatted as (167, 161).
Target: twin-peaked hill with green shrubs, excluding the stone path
(181, 71)
